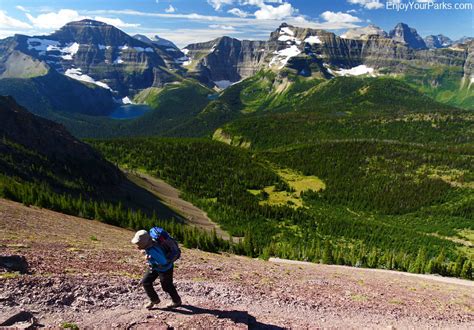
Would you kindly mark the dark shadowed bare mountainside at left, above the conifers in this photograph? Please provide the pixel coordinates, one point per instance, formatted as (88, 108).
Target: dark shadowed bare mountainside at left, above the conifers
(38, 145)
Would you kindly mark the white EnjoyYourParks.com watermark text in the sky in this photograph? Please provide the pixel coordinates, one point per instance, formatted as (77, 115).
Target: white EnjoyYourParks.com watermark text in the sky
(400, 5)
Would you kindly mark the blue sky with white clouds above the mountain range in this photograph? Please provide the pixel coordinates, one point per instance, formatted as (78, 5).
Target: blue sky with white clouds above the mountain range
(190, 21)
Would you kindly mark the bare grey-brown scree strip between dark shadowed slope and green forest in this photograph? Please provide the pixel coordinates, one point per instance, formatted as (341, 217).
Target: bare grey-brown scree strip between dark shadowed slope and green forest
(171, 196)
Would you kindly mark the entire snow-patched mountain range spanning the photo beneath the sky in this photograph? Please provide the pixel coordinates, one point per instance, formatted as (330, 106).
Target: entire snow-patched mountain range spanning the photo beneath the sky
(82, 72)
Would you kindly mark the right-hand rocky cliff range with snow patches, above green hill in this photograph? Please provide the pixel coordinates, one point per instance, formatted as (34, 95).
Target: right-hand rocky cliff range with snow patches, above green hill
(320, 54)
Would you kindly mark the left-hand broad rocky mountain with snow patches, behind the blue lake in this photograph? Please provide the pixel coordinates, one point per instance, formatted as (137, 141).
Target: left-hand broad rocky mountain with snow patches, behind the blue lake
(94, 52)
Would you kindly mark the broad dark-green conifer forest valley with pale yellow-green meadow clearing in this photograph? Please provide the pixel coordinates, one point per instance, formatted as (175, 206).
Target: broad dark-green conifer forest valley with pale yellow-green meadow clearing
(376, 204)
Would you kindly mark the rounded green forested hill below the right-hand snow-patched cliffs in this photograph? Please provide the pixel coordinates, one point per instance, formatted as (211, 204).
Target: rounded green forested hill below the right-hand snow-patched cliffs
(268, 92)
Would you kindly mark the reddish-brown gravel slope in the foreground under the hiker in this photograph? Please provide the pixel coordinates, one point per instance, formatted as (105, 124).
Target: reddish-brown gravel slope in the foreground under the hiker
(87, 273)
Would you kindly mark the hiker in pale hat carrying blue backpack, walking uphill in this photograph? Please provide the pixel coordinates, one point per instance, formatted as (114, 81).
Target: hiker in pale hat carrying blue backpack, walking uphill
(159, 266)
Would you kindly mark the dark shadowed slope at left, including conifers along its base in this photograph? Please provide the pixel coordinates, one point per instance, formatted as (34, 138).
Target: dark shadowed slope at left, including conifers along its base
(42, 164)
